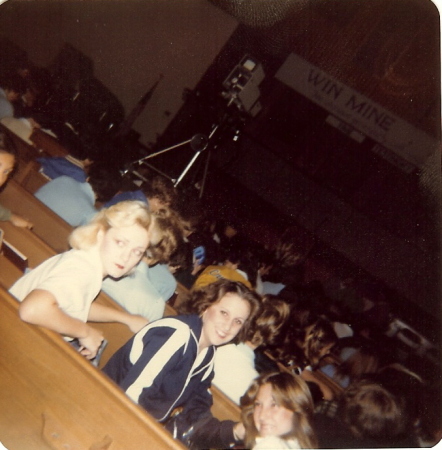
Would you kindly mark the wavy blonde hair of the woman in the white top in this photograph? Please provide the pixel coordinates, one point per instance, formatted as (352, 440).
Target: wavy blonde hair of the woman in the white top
(121, 214)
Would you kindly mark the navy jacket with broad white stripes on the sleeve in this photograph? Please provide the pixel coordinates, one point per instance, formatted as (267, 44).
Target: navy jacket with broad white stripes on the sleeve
(160, 369)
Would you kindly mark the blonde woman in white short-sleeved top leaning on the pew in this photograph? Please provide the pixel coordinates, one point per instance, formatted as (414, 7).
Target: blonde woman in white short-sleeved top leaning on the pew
(59, 293)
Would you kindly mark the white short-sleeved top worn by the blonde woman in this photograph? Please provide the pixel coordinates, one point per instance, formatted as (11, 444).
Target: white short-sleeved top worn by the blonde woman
(74, 278)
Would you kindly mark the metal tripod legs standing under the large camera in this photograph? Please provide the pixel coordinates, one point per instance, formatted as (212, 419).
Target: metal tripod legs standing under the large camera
(198, 143)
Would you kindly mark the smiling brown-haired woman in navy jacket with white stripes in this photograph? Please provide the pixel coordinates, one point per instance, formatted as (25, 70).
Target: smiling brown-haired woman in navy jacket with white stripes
(169, 363)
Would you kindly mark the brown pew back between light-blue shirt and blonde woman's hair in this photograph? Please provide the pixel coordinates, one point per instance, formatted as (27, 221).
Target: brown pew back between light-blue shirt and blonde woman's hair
(48, 226)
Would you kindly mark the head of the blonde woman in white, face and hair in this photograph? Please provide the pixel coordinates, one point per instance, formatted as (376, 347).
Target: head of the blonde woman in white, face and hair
(120, 233)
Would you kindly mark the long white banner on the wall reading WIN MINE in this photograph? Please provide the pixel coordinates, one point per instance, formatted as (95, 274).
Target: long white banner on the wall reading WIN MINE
(359, 111)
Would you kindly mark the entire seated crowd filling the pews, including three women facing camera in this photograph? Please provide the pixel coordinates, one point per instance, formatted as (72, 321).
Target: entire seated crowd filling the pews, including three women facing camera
(309, 369)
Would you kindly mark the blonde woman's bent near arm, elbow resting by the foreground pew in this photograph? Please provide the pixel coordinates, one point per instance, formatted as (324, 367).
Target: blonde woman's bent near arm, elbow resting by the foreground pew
(40, 307)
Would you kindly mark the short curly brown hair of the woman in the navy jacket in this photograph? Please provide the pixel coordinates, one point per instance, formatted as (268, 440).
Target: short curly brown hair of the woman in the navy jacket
(200, 299)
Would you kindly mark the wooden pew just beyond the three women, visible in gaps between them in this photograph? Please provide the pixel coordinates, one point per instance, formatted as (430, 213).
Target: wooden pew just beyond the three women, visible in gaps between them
(117, 334)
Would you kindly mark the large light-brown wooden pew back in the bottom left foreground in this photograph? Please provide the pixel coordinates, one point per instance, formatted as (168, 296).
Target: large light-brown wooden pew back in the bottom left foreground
(53, 398)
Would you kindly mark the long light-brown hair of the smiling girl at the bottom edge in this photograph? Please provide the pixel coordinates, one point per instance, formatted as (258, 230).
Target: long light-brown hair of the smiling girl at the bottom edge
(289, 391)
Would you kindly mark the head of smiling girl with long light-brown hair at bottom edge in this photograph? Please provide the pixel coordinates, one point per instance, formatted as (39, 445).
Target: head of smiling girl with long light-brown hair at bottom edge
(278, 405)
